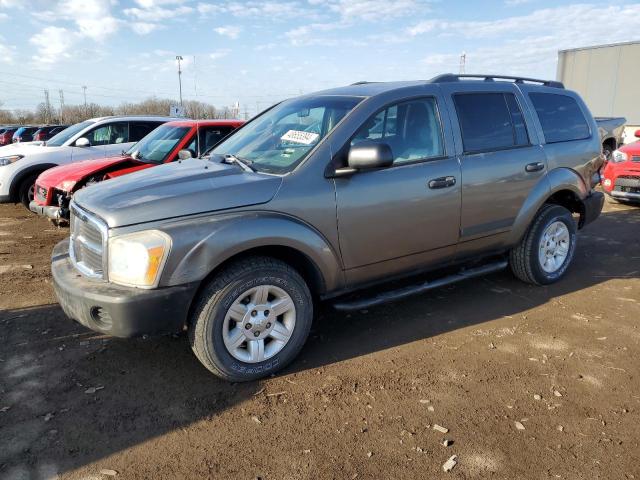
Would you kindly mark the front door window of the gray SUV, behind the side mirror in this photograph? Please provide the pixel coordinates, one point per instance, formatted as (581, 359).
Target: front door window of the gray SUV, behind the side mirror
(412, 129)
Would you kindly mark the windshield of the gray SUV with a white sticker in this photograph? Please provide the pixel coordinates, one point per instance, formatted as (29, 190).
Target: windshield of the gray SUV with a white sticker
(282, 137)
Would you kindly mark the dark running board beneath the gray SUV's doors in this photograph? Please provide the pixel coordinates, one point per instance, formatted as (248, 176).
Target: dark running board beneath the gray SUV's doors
(420, 288)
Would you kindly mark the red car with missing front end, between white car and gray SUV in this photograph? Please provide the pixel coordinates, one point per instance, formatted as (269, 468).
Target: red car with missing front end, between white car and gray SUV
(55, 187)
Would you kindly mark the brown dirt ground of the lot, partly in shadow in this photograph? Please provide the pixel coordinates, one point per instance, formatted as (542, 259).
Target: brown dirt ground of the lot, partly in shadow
(531, 382)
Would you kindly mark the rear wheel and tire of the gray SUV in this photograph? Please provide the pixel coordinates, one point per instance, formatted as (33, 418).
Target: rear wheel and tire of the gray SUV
(545, 252)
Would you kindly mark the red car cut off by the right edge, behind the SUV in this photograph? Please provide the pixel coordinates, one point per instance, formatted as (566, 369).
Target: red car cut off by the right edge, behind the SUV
(621, 175)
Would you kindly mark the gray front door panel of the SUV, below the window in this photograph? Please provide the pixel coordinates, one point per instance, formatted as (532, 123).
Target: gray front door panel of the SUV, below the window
(393, 213)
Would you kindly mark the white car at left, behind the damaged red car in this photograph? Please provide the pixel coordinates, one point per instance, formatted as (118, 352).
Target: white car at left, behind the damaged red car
(20, 164)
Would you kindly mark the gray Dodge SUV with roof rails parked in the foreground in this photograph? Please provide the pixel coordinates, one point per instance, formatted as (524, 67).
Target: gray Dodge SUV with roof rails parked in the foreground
(328, 193)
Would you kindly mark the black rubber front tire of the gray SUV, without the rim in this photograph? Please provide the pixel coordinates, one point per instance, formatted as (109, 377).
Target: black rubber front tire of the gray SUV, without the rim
(210, 307)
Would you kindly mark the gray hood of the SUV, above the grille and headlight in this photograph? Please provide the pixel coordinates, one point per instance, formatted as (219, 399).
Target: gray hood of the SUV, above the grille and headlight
(174, 190)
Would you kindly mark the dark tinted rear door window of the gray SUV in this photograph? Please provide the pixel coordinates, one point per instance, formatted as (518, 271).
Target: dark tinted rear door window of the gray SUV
(490, 121)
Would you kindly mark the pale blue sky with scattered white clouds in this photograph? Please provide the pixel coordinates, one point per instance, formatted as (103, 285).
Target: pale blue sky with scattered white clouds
(260, 52)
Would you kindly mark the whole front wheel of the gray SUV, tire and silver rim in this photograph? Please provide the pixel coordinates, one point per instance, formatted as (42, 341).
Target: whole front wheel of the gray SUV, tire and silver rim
(251, 320)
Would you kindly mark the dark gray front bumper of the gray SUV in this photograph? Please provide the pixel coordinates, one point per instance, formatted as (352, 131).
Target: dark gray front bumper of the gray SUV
(116, 310)
